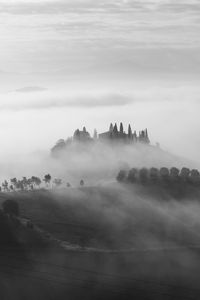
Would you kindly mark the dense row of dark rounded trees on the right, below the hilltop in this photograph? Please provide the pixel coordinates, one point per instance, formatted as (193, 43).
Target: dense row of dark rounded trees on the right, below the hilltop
(155, 175)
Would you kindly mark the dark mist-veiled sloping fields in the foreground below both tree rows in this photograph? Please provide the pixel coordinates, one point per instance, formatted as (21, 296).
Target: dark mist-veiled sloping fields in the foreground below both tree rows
(104, 242)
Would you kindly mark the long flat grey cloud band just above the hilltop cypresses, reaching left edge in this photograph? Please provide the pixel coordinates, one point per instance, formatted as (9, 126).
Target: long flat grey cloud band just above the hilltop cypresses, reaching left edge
(17, 101)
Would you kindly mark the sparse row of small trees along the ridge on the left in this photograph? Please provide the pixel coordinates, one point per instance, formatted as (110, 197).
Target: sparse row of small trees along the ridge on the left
(32, 183)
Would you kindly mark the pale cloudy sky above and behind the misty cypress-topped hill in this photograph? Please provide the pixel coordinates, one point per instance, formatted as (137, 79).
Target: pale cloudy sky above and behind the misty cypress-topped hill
(69, 63)
